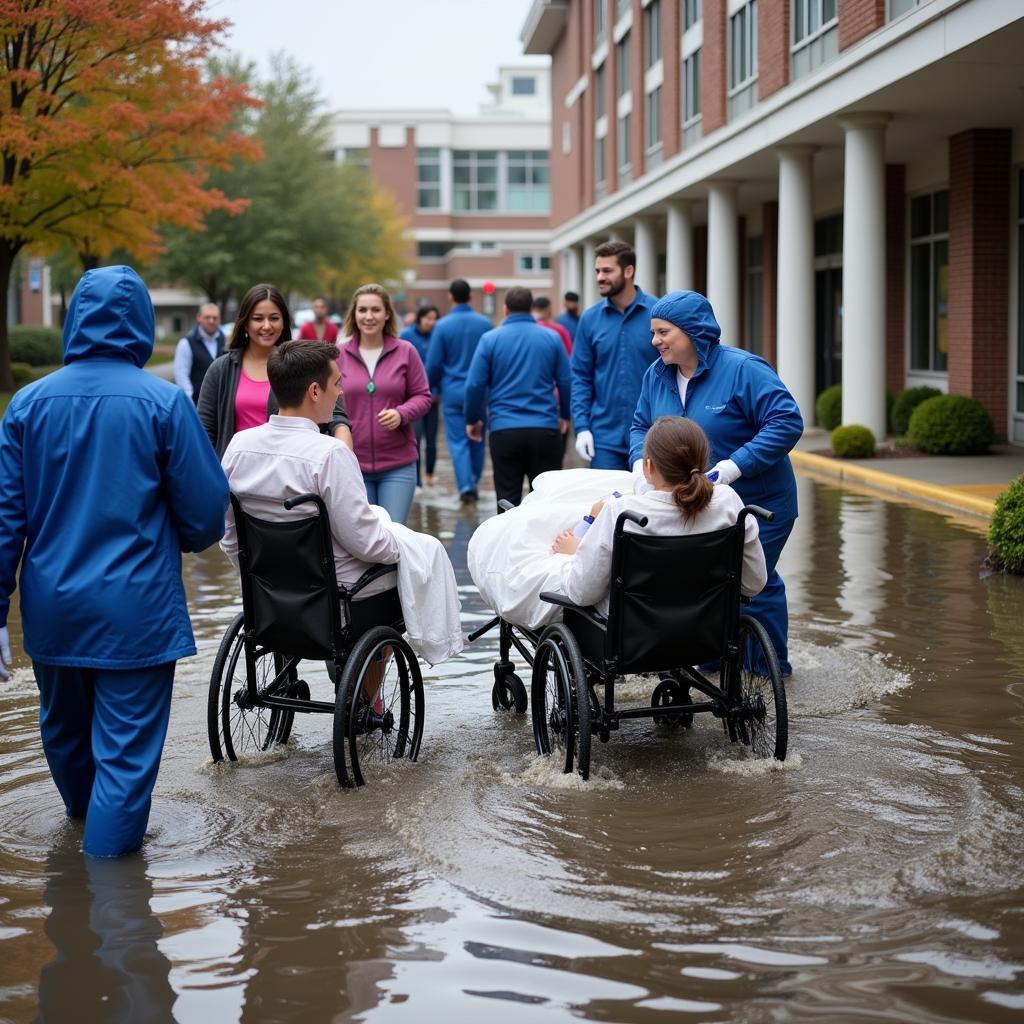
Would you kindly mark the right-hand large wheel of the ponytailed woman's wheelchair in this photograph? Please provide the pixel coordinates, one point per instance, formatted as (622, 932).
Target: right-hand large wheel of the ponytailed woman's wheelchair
(764, 723)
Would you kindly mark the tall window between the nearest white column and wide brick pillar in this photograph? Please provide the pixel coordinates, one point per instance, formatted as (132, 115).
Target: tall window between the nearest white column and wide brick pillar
(930, 282)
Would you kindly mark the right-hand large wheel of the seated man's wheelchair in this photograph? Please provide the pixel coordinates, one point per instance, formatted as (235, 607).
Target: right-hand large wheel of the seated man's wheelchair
(389, 726)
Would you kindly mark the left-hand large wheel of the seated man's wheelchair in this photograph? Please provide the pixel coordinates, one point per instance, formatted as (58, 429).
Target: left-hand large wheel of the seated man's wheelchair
(235, 727)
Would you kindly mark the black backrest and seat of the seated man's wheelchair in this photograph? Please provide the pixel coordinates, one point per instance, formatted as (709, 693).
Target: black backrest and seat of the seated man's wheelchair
(290, 596)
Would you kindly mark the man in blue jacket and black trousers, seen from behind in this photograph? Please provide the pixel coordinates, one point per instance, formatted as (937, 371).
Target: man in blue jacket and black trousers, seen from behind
(516, 371)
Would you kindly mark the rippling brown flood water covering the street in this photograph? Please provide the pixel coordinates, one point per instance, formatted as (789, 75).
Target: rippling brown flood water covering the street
(877, 875)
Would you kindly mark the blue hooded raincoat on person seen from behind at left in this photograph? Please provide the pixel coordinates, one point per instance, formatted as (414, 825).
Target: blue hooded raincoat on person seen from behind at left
(106, 478)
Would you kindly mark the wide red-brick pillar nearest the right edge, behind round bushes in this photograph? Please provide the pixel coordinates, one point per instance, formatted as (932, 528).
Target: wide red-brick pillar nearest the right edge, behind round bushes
(979, 263)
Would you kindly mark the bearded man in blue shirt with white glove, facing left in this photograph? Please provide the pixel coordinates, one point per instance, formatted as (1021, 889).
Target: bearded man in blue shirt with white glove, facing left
(611, 353)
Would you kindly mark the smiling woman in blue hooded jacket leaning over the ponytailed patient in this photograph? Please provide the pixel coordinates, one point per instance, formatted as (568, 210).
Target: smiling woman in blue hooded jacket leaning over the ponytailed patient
(750, 418)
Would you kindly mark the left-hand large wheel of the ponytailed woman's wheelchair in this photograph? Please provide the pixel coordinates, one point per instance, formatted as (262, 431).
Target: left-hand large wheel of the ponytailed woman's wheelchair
(561, 701)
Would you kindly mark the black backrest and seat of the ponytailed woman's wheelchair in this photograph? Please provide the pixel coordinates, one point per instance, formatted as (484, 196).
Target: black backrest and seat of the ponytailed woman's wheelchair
(673, 602)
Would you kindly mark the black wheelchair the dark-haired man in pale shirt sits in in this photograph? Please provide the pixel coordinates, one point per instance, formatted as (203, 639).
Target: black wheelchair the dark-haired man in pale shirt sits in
(294, 610)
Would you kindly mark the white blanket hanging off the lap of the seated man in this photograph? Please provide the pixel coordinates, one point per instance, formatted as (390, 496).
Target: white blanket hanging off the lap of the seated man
(429, 593)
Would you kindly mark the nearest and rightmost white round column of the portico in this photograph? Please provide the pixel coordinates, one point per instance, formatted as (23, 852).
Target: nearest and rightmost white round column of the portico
(865, 273)
